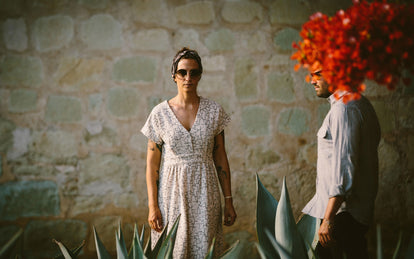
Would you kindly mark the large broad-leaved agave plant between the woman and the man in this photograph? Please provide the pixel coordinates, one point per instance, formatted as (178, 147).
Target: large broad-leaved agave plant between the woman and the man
(279, 235)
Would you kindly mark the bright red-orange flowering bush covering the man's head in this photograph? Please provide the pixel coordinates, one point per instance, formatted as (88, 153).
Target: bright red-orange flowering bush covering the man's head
(368, 40)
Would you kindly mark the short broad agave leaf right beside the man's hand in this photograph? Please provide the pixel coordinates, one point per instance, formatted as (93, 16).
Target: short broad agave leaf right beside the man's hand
(308, 227)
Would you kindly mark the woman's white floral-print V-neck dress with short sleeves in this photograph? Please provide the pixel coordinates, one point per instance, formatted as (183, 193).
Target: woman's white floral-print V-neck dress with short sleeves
(188, 182)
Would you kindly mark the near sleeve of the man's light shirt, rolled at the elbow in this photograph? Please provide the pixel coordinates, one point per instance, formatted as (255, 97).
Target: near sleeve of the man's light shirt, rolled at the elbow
(345, 131)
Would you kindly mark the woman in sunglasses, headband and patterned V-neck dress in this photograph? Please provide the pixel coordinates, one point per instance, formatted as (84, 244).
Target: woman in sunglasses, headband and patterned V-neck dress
(186, 154)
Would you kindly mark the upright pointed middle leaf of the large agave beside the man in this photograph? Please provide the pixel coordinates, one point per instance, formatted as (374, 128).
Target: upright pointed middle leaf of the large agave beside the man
(286, 232)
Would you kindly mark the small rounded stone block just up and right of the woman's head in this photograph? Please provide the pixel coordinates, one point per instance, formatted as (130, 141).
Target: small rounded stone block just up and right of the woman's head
(220, 40)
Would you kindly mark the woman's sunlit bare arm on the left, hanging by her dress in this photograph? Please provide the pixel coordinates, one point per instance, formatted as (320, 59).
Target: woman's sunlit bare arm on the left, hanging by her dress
(152, 176)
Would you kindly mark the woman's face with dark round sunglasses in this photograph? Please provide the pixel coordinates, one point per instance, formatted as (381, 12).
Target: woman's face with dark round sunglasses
(188, 75)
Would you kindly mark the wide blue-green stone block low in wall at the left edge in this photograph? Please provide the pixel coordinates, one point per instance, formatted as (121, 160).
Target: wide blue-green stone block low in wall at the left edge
(29, 199)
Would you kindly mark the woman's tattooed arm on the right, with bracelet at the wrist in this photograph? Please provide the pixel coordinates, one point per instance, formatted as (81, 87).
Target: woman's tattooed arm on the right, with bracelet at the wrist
(223, 173)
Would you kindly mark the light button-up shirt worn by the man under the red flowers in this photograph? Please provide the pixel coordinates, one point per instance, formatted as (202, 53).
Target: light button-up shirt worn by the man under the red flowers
(347, 162)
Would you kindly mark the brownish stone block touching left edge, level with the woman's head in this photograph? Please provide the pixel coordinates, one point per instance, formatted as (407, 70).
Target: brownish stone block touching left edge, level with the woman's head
(21, 71)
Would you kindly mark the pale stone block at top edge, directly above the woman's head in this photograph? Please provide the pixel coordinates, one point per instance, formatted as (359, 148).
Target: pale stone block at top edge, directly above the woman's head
(199, 12)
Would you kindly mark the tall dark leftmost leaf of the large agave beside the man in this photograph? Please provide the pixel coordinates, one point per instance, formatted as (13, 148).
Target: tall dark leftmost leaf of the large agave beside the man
(265, 215)
